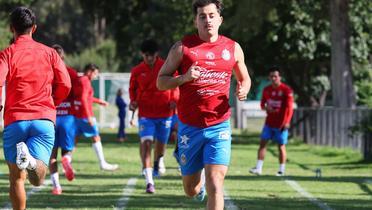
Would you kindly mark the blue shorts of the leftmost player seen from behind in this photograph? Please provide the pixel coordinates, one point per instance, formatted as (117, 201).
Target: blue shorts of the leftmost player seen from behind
(37, 134)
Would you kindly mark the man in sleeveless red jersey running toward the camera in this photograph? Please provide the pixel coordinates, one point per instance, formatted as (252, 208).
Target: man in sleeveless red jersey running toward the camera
(206, 61)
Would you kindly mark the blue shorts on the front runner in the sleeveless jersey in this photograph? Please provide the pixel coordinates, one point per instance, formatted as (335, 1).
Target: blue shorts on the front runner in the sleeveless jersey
(200, 146)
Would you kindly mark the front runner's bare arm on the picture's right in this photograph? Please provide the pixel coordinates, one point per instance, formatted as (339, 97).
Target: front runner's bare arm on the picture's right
(241, 74)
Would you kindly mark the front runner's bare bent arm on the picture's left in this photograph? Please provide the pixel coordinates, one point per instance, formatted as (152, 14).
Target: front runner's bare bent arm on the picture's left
(166, 80)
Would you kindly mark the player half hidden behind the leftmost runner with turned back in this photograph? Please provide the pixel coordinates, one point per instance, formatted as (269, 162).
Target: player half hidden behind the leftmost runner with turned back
(65, 133)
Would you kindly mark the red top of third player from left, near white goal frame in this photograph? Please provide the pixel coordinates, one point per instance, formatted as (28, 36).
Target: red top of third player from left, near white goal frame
(84, 98)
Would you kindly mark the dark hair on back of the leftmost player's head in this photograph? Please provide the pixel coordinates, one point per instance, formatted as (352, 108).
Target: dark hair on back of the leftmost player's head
(22, 19)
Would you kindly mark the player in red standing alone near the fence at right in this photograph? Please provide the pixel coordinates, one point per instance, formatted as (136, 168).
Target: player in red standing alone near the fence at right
(277, 100)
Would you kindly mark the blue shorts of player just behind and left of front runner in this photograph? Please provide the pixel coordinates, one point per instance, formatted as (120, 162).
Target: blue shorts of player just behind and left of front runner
(155, 128)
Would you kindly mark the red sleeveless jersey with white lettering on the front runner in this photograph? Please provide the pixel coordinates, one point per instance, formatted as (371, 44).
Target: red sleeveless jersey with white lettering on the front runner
(205, 101)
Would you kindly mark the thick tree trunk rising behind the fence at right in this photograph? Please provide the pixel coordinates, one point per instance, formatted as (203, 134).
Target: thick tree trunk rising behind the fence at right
(343, 93)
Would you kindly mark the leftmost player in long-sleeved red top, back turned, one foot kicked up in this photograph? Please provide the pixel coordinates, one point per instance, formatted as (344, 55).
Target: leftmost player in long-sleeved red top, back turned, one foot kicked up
(36, 81)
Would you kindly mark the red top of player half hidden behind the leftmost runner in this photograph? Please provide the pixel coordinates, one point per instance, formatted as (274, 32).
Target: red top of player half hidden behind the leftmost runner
(66, 107)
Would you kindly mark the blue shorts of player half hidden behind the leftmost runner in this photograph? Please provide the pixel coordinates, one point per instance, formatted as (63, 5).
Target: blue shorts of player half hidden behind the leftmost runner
(65, 132)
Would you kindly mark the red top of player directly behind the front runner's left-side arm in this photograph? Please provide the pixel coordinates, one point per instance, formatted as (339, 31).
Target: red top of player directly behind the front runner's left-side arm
(152, 102)
